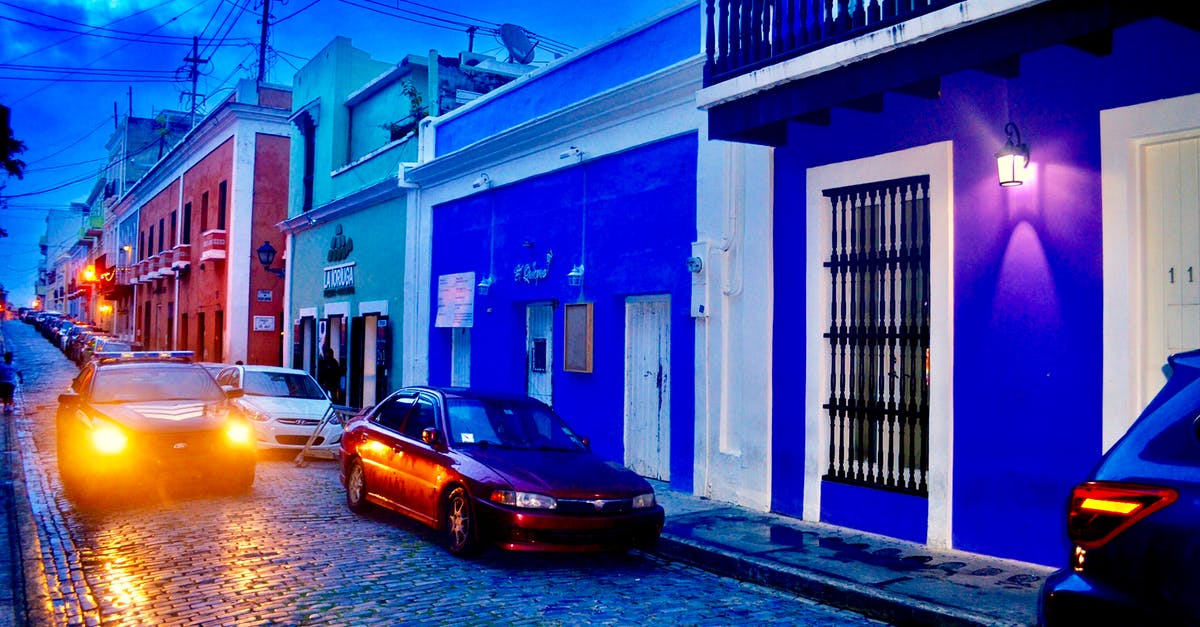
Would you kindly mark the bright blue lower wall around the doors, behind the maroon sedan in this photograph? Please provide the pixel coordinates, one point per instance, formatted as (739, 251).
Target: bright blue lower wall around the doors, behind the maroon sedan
(641, 220)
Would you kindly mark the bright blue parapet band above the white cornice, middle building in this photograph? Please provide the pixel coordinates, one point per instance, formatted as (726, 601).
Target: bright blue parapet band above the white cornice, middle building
(662, 45)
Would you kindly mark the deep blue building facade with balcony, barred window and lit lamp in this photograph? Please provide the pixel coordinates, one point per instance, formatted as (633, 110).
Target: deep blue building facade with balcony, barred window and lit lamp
(971, 350)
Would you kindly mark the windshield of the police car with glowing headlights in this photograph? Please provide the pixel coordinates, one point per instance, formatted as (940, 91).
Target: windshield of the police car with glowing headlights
(152, 383)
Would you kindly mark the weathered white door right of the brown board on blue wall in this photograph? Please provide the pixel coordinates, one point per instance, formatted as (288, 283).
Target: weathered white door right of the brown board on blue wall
(649, 386)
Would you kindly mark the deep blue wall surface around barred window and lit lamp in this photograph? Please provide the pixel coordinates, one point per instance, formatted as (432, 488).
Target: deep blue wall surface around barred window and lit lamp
(1028, 279)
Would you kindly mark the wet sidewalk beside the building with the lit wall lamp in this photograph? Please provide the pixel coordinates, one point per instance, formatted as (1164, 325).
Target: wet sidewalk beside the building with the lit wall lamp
(892, 581)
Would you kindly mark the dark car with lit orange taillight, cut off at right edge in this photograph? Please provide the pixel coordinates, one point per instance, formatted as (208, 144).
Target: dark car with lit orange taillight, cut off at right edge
(1136, 526)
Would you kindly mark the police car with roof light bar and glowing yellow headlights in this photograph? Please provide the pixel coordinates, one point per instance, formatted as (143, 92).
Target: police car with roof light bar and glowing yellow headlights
(140, 417)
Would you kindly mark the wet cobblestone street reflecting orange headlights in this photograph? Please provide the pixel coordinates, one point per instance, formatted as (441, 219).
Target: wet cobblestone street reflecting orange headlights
(291, 553)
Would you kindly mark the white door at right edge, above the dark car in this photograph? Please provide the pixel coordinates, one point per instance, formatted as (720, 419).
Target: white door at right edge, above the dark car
(1173, 249)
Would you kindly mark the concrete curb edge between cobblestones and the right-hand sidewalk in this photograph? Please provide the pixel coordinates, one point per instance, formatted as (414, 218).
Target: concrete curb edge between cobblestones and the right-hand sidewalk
(859, 598)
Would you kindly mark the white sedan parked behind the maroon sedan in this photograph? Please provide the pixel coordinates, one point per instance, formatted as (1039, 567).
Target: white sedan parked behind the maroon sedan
(285, 405)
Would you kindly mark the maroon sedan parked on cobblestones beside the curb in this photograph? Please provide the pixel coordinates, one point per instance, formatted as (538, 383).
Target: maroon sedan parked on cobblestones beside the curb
(491, 469)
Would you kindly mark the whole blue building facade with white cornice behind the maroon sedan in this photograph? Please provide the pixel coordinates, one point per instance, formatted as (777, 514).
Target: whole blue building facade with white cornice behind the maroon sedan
(560, 213)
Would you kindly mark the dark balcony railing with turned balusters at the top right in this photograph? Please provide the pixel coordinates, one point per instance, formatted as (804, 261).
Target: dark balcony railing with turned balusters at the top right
(747, 35)
